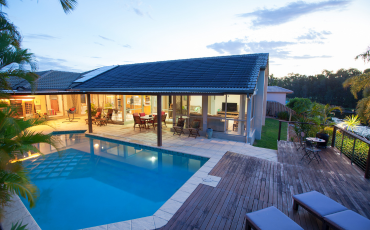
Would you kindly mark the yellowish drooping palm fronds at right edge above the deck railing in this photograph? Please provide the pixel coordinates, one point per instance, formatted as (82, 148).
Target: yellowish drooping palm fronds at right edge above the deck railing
(361, 83)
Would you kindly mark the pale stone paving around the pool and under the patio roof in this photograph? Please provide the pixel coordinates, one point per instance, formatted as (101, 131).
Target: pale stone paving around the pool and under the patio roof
(200, 146)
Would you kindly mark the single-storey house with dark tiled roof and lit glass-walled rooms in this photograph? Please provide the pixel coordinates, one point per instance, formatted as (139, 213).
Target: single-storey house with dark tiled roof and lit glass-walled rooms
(227, 93)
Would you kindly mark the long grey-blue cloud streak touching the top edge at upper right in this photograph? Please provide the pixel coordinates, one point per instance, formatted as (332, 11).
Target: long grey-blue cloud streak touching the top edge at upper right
(276, 16)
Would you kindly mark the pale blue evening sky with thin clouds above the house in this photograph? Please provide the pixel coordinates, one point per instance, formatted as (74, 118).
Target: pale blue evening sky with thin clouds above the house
(301, 36)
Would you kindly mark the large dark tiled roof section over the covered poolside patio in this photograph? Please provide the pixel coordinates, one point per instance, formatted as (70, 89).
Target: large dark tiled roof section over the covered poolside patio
(237, 73)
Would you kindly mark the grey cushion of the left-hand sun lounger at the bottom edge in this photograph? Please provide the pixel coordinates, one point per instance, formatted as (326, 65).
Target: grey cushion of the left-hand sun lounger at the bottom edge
(271, 218)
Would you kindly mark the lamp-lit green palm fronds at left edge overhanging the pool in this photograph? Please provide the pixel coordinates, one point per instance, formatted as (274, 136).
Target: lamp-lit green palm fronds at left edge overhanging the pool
(16, 141)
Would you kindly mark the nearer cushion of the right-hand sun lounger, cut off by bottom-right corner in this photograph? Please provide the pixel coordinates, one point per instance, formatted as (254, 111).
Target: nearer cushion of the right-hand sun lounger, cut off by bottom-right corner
(348, 220)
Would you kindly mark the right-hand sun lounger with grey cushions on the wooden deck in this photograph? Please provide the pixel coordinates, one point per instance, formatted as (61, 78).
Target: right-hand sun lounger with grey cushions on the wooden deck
(331, 213)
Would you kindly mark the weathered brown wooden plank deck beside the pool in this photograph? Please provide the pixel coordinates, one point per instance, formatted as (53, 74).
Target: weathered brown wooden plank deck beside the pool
(249, 184)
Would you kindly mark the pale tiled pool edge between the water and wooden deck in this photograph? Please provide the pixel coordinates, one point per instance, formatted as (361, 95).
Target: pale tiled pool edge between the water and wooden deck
(161, 217)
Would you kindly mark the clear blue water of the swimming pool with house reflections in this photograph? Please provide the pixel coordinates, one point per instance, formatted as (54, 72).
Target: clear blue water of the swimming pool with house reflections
(96, 182)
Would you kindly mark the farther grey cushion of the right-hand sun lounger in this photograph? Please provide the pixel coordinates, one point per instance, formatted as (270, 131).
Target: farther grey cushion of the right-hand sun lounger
(318, 203)
